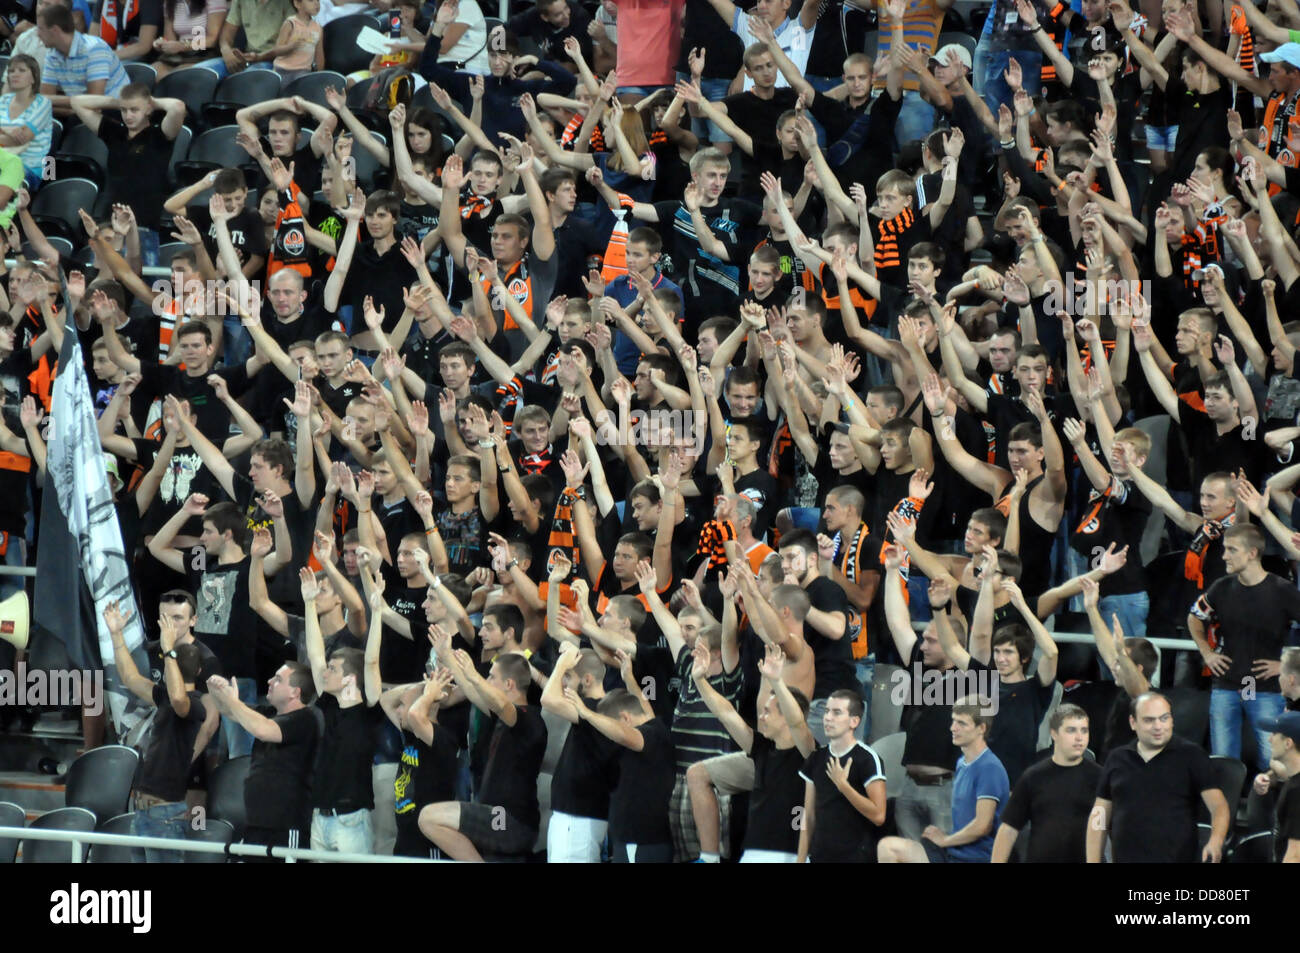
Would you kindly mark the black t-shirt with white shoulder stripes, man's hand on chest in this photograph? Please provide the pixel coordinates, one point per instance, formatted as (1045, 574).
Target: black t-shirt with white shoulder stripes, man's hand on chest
(840, 833)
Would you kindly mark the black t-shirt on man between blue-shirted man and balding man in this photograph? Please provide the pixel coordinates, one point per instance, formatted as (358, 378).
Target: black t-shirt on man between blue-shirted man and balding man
(1056, 803)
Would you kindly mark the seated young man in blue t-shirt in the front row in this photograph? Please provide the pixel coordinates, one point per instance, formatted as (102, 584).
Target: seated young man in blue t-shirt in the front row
(980, 794)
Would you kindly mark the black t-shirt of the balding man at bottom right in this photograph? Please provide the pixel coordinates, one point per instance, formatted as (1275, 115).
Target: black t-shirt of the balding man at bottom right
(1155, 803)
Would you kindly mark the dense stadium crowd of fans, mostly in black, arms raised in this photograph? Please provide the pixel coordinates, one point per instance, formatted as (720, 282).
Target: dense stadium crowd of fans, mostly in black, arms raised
(578, 436)
